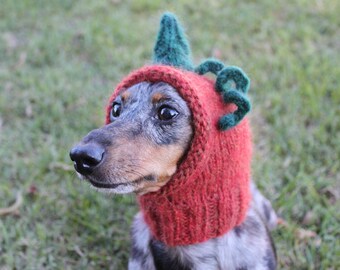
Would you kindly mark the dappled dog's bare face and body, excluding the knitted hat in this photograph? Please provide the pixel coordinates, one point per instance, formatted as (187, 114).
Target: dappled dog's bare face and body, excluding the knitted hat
(148, 135)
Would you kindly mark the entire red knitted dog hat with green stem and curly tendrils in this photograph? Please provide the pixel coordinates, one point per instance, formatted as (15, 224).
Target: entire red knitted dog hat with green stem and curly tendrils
(209, 194)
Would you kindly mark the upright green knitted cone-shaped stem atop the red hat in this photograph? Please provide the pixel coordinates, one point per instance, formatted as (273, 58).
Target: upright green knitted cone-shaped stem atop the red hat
(172, 47)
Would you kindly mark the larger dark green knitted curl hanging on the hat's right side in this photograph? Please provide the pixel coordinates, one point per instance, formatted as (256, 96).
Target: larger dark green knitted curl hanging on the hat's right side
(230, 95)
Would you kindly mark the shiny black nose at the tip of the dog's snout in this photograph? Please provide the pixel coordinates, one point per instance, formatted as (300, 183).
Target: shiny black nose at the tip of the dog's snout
(86, 157)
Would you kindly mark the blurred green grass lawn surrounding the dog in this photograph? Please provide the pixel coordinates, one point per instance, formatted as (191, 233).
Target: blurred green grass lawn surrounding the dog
(59, 61)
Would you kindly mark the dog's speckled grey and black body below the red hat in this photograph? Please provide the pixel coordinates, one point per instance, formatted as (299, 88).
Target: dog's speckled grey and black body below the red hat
(248, 246)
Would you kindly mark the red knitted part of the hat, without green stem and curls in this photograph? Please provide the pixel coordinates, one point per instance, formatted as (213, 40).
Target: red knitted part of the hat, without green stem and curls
(209, 193)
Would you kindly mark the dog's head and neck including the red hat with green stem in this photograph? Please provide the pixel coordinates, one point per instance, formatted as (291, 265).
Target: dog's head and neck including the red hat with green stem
(169, 128)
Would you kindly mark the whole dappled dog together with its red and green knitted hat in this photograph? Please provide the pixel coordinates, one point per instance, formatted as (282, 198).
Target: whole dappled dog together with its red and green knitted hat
(152, 129)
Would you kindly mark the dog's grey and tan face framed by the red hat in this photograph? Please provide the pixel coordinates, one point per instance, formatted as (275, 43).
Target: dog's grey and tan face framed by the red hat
(149, 133)
